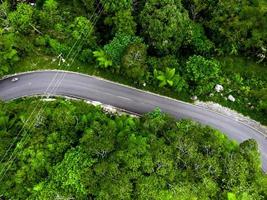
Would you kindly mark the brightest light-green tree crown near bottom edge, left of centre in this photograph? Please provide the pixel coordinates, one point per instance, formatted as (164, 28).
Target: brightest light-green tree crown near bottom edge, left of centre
(66, 177)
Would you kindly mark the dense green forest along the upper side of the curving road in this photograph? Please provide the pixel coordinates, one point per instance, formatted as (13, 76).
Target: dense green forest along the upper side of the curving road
(180, 48)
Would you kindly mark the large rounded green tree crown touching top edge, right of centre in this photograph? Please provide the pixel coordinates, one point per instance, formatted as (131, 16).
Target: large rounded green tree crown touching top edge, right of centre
(164, 25)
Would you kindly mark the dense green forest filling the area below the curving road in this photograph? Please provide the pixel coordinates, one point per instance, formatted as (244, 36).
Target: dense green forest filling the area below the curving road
(76, 151)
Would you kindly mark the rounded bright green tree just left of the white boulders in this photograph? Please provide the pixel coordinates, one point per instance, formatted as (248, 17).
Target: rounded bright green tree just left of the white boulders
(201, 74)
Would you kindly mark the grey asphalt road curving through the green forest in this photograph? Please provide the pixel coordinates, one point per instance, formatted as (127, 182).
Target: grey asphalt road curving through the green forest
(137, 101)
